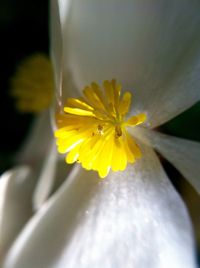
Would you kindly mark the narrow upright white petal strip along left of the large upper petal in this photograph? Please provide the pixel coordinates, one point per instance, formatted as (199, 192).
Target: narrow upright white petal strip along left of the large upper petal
(60, 10)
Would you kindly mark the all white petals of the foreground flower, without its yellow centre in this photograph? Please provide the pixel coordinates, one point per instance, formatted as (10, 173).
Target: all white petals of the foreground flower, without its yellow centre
(133, 218)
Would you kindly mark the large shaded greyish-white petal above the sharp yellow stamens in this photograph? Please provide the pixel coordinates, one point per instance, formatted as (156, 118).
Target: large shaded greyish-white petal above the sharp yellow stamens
(152, 47)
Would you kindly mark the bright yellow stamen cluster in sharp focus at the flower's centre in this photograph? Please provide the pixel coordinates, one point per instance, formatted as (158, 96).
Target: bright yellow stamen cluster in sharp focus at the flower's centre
(93, 129)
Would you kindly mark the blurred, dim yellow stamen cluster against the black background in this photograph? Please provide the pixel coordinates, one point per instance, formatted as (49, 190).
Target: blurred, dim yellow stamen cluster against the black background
(32, 85)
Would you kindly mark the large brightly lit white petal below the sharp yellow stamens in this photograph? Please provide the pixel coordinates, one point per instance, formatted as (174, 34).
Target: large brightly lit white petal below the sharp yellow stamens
(131, 219)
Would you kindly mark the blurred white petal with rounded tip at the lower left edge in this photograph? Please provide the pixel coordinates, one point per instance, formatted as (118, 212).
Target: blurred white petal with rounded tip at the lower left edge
(15, 205)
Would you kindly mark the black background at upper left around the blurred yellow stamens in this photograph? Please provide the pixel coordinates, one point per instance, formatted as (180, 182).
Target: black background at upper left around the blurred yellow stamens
(23, 31)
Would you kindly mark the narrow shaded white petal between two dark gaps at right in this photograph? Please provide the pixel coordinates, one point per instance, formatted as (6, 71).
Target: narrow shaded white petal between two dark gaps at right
(182, 153)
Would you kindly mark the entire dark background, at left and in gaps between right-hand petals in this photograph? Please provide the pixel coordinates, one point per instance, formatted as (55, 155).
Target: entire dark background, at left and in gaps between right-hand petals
(24, 31)
